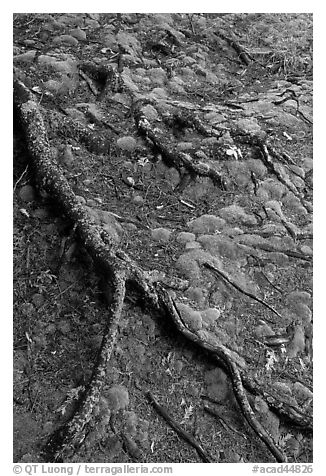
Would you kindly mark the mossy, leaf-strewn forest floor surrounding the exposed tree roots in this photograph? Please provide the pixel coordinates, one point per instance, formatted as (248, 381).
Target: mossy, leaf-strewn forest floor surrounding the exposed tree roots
(258, 230)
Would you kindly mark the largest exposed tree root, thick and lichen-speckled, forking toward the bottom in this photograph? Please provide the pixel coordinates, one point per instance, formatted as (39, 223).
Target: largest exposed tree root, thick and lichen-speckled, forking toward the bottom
(120, 270)
